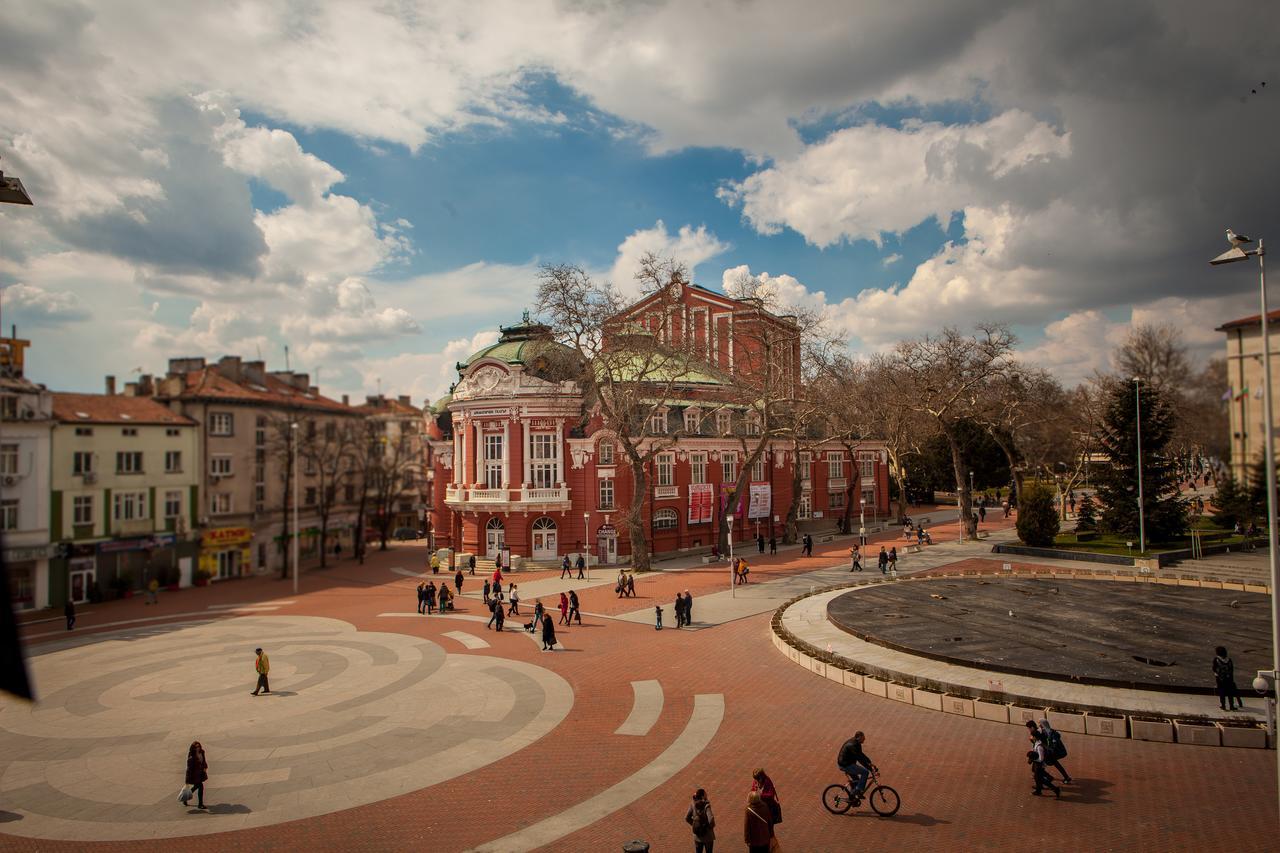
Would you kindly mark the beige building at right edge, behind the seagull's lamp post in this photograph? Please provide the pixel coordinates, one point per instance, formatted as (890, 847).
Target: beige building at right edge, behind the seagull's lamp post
(1245, 389)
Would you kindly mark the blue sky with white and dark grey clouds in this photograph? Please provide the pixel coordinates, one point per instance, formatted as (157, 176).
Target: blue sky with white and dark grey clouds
(376, 185)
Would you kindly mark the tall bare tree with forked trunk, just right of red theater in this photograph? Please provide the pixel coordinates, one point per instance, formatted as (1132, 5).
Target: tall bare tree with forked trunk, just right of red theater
(944, 377)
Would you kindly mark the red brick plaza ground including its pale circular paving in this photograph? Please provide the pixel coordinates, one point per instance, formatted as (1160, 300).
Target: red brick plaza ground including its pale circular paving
(388, 731)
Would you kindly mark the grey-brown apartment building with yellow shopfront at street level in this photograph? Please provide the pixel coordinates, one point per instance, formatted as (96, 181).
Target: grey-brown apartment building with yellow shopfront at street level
(245, 416)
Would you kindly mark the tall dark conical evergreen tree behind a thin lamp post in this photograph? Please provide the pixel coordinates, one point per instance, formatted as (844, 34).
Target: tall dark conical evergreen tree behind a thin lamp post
(1118, 482)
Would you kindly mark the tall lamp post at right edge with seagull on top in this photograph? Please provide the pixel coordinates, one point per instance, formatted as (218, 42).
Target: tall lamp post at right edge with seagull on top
(1265, 679)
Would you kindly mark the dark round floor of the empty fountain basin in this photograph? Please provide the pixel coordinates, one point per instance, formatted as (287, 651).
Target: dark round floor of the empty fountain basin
(1094, 632)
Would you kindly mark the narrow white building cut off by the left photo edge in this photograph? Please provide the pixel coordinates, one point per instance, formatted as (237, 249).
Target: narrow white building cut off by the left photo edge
(26, 426)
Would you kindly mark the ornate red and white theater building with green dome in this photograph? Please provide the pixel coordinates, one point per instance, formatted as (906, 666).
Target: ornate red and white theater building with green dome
(518, 462)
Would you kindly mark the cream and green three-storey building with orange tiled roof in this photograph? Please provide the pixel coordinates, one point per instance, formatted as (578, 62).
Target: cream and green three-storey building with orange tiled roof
(122, 498)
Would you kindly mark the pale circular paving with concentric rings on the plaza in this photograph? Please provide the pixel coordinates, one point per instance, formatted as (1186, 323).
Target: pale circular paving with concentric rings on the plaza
(356, 718)
